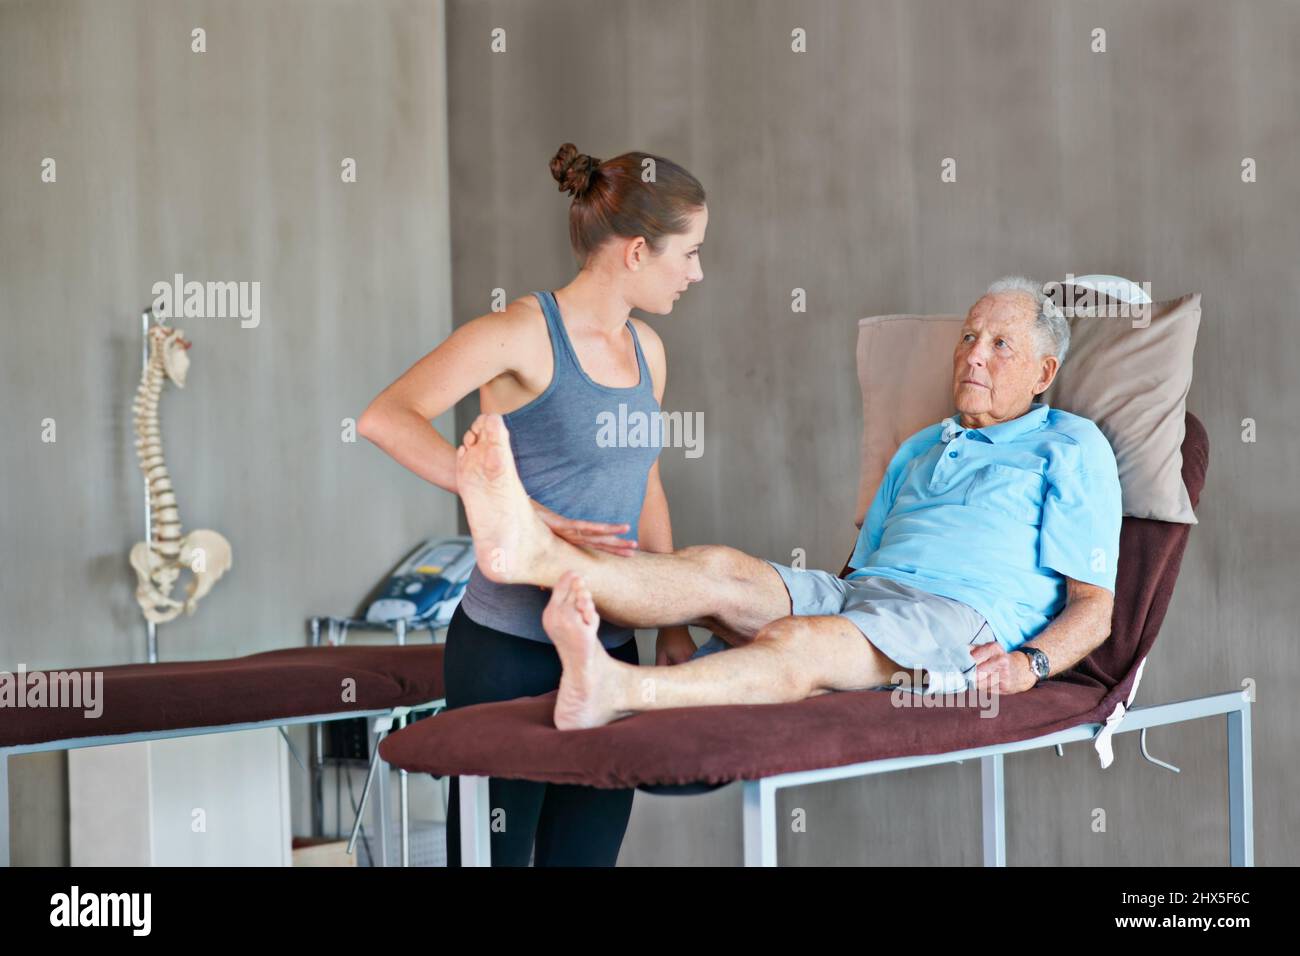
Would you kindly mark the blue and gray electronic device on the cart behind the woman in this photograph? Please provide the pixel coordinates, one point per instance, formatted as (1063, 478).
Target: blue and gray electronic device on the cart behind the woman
(428, 586)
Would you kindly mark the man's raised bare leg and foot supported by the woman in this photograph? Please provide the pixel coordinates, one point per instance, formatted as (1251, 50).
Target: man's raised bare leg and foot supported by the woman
(712, 586)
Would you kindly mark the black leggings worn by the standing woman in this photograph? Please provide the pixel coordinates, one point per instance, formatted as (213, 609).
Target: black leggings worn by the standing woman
(573, 825)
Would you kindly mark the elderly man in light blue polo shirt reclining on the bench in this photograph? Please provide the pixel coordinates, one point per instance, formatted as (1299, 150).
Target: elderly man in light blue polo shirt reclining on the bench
(994, 533)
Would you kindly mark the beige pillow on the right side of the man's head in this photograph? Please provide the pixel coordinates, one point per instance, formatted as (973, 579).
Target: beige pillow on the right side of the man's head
(1132, 378)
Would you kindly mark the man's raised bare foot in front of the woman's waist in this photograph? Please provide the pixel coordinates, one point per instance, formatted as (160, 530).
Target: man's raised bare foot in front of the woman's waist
(510, 539)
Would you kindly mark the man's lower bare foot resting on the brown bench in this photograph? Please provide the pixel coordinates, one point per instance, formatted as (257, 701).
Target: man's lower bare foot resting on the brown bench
(587, 685)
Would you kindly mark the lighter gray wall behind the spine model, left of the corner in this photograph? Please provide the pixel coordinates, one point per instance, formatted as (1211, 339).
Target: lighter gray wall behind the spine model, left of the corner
(220, 166)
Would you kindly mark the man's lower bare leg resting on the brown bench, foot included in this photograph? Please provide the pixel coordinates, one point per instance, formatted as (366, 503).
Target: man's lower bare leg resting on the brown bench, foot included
(790, 660)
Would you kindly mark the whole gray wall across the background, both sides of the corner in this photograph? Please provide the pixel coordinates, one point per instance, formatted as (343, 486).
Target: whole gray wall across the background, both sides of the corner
(822, 172)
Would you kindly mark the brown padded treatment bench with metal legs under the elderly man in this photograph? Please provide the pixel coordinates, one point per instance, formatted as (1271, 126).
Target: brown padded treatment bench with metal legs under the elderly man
(757, 743)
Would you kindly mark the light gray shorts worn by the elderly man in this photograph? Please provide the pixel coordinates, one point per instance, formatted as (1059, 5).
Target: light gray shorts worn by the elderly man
(913, 628)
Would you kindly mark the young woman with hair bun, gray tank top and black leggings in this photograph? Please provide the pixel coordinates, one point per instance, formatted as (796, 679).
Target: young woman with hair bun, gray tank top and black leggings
(554, 365)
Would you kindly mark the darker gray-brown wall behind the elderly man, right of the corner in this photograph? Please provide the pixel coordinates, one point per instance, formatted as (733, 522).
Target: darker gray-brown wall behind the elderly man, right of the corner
(824, 174)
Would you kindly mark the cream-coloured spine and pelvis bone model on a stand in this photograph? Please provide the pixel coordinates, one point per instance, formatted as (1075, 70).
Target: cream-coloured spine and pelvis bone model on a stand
(159, 563)
